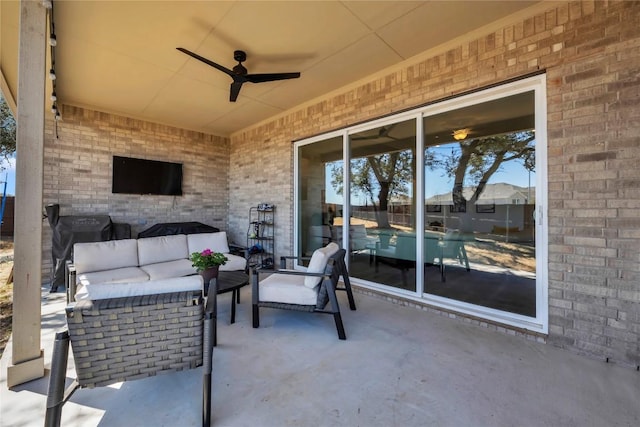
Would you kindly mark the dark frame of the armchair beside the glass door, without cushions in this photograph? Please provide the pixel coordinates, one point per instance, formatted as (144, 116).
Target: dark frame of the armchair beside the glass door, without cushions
(326, 291)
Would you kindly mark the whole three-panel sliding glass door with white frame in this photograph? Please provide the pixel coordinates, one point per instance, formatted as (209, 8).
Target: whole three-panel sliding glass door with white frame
(440, 204)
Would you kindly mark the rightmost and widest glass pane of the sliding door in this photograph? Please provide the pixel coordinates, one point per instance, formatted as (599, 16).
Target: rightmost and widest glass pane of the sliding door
(478, 196)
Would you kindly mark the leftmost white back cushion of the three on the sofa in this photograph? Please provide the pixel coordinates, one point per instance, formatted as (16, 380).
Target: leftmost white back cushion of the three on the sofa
(108, 255)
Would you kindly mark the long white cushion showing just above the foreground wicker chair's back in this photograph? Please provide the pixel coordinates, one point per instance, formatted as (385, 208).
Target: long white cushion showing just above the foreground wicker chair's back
(106, 291)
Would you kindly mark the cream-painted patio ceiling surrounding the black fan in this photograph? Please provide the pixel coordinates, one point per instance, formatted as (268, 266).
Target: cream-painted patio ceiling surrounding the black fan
(121, 57)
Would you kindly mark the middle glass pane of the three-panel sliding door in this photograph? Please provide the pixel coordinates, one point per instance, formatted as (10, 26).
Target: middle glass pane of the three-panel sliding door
(382, 206)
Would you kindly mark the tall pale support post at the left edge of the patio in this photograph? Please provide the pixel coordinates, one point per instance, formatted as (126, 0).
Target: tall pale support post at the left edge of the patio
(27, 357)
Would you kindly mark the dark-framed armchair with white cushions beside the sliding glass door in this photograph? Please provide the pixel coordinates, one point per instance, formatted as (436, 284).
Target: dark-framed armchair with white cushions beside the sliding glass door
(286, 289)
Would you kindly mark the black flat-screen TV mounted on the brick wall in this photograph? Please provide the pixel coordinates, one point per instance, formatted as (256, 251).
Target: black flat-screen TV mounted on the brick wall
(140, 176)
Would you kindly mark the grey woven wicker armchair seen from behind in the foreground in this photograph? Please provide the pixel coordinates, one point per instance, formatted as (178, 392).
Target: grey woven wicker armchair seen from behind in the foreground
(124, 339)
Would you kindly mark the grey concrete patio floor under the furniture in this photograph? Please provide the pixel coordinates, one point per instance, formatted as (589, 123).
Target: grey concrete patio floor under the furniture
(400, 366)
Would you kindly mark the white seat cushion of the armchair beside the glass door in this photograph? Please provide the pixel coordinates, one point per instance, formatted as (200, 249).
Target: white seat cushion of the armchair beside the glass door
(288, 289)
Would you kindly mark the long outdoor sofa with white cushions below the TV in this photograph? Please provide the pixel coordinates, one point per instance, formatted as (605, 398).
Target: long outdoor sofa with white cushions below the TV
(131, 262)
